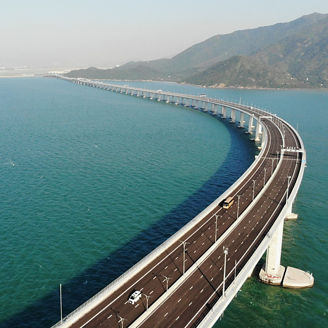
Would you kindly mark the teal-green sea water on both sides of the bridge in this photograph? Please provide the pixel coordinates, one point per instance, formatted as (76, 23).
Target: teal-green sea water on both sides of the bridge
(91, 181)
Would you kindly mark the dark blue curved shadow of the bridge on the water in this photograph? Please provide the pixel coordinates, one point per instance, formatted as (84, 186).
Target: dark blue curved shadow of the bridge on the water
(45, 312)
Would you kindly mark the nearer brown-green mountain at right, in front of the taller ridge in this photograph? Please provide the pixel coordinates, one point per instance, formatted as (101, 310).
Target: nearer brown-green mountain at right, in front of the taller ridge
(299, 60)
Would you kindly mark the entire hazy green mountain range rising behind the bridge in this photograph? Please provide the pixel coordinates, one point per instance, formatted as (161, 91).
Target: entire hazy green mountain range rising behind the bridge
(285, 55)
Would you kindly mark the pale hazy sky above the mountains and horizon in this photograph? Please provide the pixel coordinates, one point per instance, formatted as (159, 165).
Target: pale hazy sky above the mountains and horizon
(81, 33)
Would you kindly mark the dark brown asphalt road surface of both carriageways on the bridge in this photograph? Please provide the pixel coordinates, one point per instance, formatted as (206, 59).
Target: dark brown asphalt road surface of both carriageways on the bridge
(195, 296)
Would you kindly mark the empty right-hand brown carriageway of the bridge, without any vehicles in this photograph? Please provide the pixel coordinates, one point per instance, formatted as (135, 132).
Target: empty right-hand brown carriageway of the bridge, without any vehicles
(199, 290)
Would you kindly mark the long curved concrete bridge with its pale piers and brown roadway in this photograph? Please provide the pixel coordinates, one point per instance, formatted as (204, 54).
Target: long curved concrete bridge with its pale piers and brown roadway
(190, 279)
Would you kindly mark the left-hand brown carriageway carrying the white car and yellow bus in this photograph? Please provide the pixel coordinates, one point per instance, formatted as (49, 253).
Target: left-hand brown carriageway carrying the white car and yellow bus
(202, 239)
